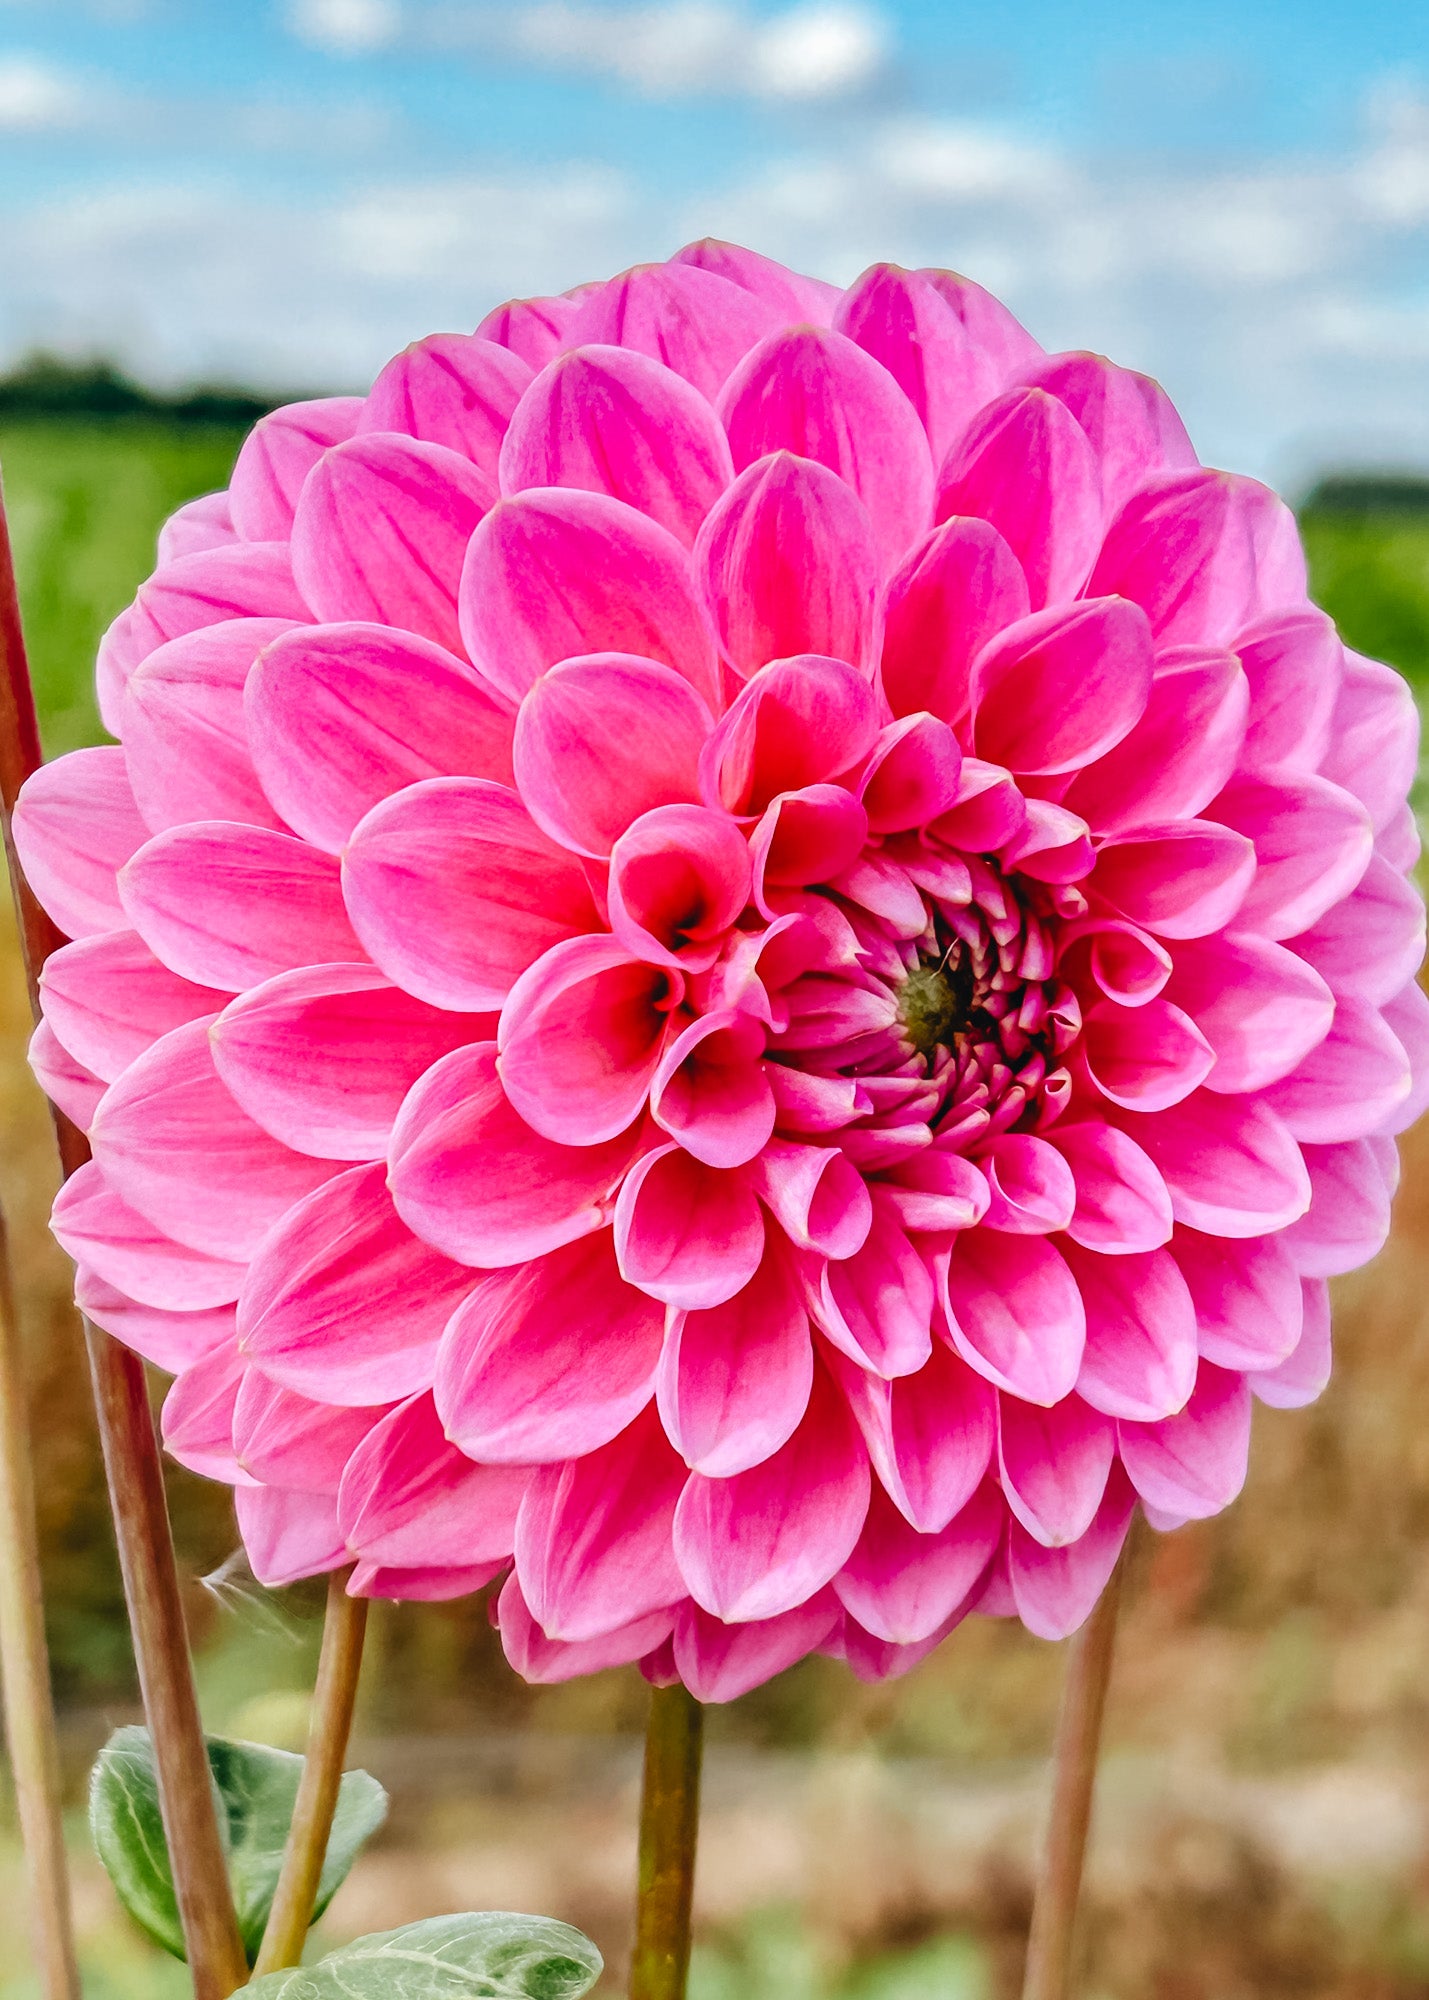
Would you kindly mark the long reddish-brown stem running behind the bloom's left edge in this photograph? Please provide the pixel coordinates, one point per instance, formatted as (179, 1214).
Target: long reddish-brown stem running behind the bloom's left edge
(133, 1465)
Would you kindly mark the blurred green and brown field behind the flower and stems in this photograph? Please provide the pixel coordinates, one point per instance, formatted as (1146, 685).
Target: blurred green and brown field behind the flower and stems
(1266, 1815)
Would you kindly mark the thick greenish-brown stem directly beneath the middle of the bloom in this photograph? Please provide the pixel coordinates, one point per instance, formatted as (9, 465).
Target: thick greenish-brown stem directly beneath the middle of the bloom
(669, 1831)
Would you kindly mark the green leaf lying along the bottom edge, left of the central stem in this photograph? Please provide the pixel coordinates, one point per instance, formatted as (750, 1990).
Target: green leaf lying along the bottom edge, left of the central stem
(479, 1957)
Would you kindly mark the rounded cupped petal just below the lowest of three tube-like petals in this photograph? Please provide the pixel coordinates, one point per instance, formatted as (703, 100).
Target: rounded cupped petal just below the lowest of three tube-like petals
(687, 1233)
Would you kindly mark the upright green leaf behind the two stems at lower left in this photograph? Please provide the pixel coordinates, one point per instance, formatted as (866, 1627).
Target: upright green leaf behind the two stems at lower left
(255, 1793)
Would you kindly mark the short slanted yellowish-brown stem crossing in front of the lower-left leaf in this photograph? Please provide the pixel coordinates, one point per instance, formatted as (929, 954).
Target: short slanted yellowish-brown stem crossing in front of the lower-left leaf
(333, 1699)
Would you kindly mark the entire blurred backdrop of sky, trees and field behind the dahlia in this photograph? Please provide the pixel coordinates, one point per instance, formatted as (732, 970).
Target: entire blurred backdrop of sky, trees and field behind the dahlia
(205, 209)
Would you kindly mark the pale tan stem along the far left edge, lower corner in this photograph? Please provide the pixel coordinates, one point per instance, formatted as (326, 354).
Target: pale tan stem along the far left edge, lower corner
(25, 1673)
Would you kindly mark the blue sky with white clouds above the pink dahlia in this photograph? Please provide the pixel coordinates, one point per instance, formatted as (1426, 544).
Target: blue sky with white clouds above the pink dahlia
(1234, 197)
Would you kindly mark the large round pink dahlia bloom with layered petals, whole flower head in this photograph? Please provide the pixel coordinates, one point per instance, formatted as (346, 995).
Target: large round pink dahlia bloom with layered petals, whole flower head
(744, 961)
